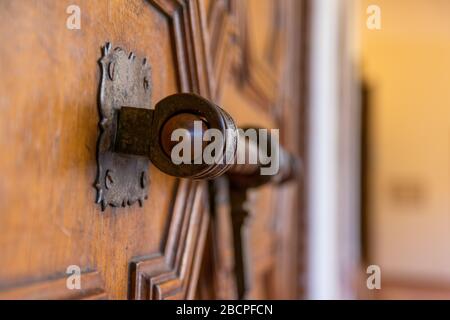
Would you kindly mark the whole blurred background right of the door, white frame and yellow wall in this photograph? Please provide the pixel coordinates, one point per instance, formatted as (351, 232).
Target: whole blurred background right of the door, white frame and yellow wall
(379, 164)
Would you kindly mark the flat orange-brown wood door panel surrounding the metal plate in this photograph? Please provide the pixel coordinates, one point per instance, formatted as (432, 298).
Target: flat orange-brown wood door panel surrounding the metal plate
(48, 118)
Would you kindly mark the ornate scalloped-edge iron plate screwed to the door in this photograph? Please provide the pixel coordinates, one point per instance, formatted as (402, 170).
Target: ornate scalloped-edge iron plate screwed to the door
(126, 81)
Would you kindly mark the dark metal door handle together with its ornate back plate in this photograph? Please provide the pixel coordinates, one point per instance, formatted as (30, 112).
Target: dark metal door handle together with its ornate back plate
(133, 134)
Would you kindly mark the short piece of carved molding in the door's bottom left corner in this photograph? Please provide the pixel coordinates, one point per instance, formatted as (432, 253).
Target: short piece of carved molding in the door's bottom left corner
(92, 288)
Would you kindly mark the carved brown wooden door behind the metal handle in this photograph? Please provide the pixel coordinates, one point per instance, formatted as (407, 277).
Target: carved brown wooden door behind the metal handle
(244, 55)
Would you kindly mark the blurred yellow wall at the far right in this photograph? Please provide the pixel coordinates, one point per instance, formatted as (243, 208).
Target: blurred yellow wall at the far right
(407, 64)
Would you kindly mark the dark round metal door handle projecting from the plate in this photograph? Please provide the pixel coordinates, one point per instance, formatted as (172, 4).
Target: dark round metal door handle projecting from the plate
(145, 132)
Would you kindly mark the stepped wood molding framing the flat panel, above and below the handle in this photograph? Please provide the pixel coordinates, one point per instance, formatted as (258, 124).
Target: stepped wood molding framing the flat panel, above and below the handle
(173, 272)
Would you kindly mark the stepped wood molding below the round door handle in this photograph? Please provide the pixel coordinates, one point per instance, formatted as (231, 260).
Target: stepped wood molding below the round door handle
(173, 273)
